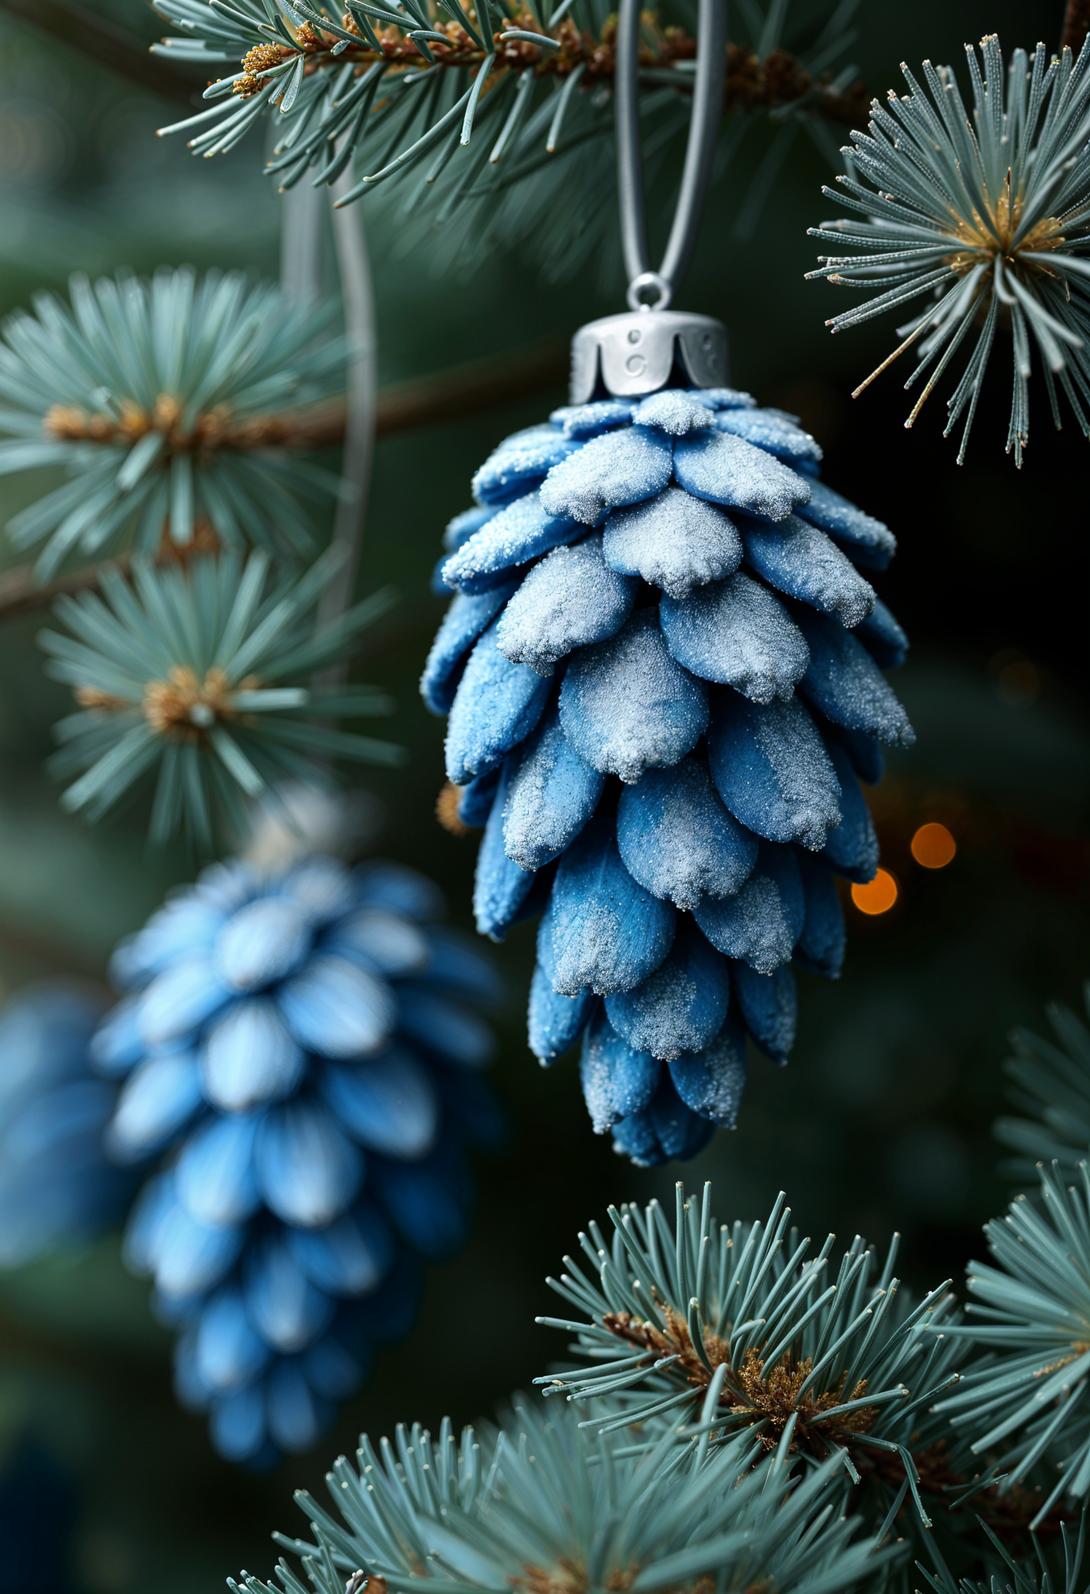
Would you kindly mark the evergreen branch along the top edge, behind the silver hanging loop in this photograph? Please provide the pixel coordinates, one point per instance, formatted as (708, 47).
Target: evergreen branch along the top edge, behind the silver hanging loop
(466, 120)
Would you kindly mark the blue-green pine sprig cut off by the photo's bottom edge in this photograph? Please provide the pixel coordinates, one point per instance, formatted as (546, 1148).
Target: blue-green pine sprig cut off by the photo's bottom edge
(546, 1507)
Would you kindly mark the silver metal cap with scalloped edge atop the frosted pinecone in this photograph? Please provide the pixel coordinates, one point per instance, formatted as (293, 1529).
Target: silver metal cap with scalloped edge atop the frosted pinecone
(646, 350)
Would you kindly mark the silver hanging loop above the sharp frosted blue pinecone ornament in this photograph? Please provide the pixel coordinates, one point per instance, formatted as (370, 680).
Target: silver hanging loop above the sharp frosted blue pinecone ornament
(649, 288)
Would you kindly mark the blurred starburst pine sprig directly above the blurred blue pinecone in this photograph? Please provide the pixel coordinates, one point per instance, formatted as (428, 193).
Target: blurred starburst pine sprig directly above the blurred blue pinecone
(198, 680)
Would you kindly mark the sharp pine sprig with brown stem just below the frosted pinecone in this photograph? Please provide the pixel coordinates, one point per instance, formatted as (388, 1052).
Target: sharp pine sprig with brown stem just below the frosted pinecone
(745, 1330)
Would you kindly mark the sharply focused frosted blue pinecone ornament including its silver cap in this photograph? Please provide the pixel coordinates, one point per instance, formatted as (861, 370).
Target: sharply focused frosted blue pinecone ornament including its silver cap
(664, 683)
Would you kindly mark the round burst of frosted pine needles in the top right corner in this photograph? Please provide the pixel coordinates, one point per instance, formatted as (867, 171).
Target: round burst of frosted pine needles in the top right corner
(979, 210)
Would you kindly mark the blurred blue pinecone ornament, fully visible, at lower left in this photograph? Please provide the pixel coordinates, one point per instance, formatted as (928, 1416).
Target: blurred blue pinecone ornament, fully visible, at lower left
(300, 1056)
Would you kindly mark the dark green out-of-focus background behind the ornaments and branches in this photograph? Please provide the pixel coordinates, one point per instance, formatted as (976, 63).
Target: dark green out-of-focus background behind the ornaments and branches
(884, 1118)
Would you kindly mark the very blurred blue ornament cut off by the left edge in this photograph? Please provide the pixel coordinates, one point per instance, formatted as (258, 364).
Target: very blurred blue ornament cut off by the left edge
(58, 1188)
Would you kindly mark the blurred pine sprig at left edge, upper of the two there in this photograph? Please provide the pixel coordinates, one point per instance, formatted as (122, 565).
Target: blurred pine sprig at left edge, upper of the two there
(179, 410)
